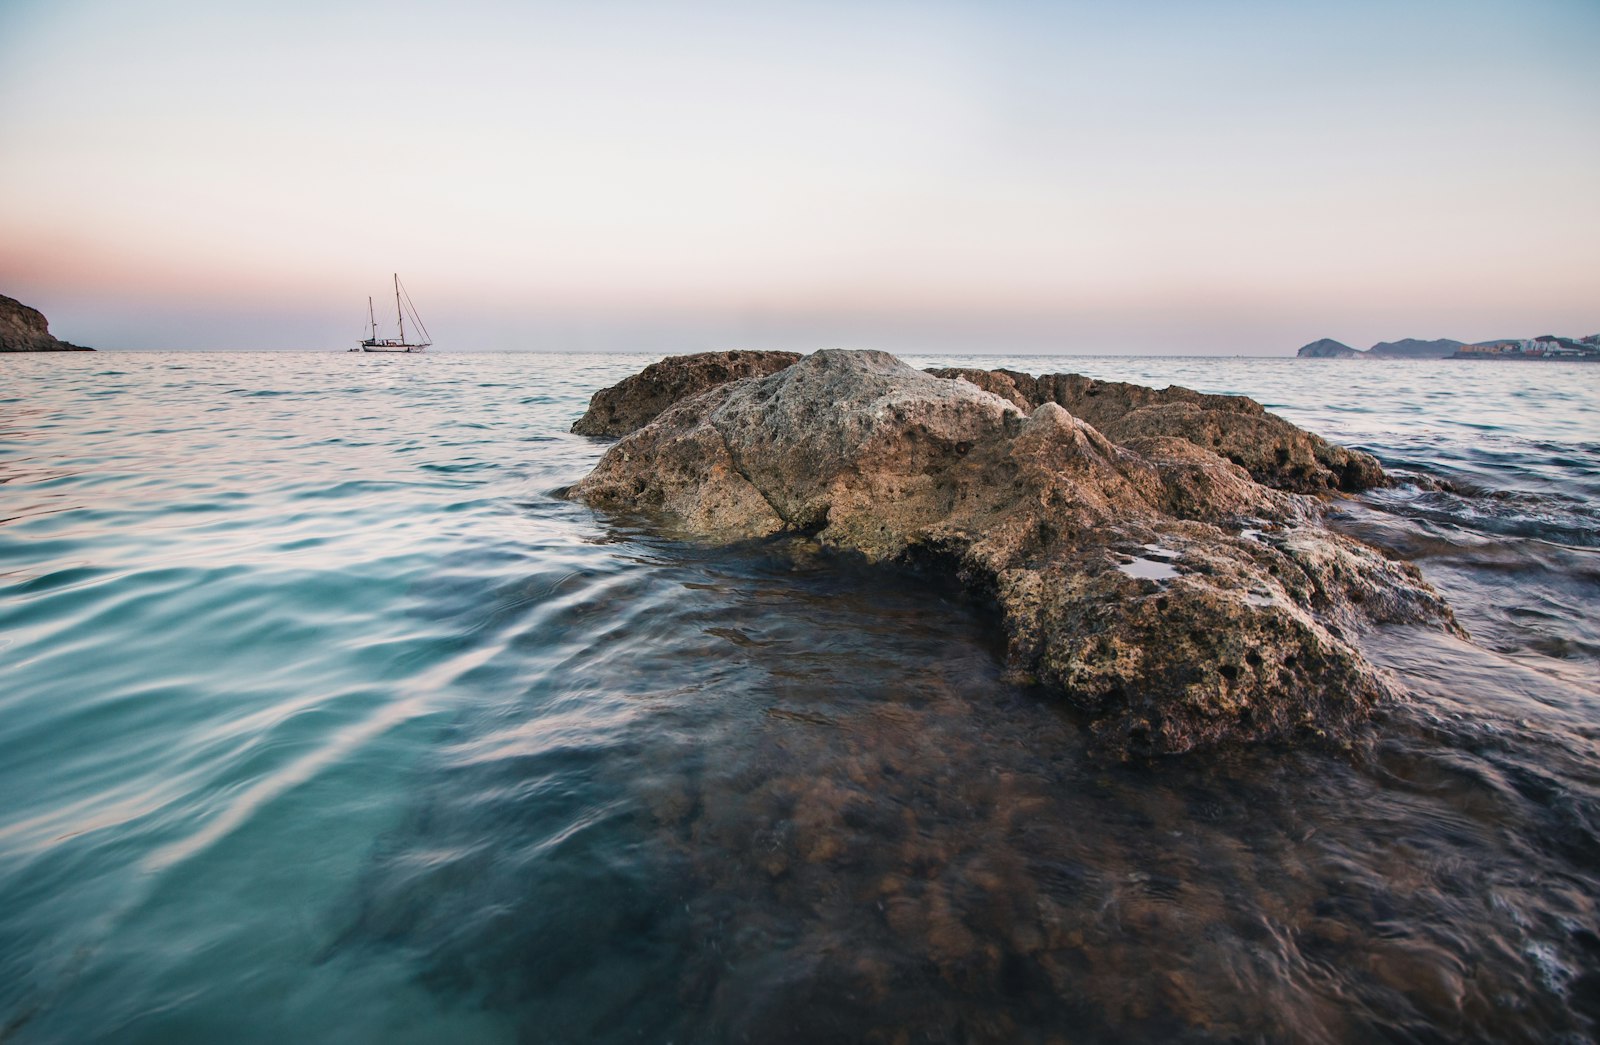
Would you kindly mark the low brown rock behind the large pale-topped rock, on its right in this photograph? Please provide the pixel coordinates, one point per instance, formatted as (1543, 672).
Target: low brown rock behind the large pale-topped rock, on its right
(1238, 428)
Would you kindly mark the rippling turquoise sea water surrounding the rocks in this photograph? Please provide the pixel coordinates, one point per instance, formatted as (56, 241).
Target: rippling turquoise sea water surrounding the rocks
(326, 719)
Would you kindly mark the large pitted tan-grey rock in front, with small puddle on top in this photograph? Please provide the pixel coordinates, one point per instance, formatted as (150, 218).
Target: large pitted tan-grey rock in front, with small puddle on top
(1156, 585)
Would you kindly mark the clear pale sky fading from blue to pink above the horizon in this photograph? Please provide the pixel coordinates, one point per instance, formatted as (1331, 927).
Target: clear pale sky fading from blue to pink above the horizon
(1146, 177)
